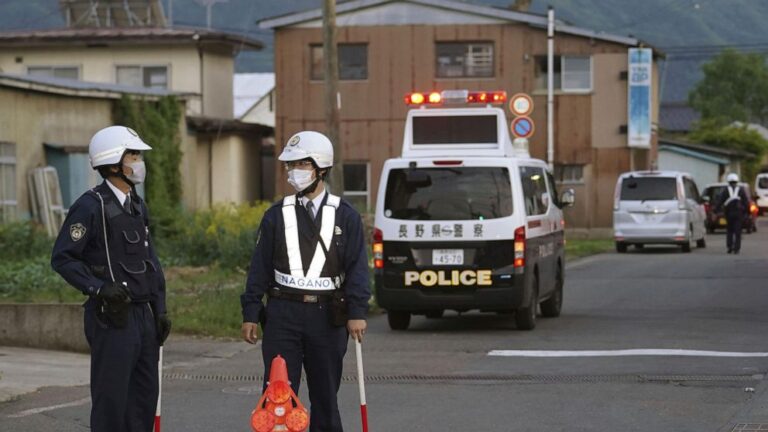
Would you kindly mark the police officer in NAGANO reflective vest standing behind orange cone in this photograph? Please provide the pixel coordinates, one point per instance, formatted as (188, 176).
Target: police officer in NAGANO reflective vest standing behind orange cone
(311, 264)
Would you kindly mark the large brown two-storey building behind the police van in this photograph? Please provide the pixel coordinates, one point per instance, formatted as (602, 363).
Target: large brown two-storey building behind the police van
(388, 48)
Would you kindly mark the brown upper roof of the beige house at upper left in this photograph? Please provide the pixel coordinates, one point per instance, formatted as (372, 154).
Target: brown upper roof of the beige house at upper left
(124, 36)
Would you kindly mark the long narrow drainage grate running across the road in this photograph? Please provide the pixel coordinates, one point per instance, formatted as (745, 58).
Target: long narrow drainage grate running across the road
(480, 378)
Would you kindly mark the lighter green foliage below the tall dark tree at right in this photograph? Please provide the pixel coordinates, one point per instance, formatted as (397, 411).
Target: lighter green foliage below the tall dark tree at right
(737, 137)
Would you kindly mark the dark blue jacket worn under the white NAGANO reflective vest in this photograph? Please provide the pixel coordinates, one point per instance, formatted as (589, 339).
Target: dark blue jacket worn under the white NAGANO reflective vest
(346, 255)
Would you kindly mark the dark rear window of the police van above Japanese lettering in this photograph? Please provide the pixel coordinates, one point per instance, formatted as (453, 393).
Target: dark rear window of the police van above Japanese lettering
(460, 193)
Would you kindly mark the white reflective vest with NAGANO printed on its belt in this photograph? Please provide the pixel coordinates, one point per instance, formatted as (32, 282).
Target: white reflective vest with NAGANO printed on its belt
(313, 279)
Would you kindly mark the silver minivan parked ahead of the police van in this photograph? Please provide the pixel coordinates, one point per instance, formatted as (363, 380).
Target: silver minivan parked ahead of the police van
(658, 207)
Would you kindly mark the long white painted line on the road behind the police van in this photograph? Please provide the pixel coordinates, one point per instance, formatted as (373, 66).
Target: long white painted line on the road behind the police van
(625, 353)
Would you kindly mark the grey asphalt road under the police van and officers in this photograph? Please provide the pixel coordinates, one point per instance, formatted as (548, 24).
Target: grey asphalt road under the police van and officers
(439, 376)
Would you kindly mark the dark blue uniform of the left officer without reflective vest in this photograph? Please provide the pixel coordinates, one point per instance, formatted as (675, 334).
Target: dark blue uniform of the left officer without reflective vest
(124, 380)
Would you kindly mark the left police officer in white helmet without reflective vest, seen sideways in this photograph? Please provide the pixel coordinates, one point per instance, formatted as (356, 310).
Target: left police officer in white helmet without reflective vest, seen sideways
(104, 250)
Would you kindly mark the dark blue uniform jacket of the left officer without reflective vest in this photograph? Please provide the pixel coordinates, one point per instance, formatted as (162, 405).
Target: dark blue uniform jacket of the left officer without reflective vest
(79, 252)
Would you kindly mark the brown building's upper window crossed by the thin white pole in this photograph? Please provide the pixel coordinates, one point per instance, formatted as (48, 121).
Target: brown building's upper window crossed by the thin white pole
(571, 73)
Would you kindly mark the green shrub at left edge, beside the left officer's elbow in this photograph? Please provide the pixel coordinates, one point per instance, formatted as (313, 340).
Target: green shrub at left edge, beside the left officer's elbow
(23, 240)
